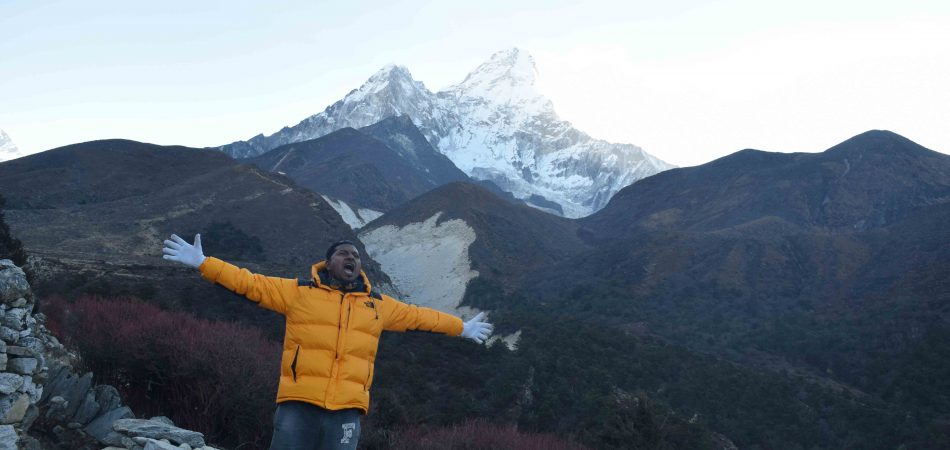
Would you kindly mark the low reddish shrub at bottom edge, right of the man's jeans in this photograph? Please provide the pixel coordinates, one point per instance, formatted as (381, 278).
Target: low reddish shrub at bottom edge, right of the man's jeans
(478, 435)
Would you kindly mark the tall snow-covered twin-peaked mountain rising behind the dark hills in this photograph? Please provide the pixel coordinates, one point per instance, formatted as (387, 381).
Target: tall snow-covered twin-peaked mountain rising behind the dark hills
(494, 125)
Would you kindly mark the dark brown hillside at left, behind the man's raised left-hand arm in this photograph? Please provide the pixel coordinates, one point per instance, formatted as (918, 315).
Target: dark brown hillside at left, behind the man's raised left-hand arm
(88, 235)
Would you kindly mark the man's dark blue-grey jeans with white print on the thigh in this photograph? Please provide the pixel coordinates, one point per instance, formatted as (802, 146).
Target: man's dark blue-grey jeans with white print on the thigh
(302, 426)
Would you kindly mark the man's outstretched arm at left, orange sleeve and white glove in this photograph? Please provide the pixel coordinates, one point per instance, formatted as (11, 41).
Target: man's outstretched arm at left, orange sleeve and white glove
(269, 292)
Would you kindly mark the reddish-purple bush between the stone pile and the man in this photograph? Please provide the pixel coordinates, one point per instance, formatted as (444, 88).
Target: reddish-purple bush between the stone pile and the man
(214, 377)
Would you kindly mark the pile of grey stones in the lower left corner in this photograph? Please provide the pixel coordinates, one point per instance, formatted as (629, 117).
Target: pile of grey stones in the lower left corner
(45, 403)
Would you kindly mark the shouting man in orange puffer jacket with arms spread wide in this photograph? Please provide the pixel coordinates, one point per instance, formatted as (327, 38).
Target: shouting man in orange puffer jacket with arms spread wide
(333, 325)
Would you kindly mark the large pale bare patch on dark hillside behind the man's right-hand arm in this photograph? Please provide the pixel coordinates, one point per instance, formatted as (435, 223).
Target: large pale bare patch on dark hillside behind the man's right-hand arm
(427, 261)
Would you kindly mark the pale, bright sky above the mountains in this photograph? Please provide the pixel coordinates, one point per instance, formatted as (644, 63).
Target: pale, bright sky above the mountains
(688, 81)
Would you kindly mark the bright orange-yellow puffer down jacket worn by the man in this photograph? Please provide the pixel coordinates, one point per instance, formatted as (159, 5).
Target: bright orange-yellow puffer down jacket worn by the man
(331, 337)
